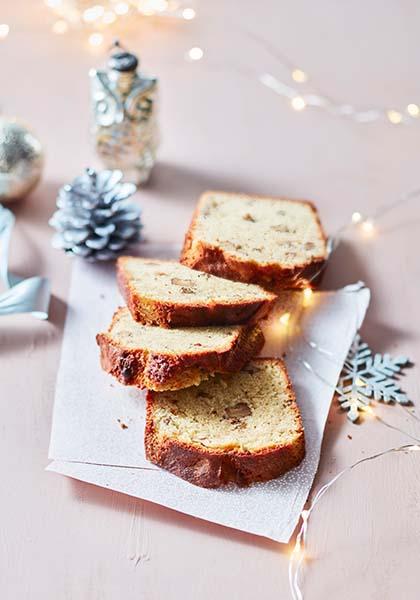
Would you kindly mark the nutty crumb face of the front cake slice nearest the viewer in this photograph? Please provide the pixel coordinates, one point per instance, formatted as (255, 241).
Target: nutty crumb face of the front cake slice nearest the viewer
(246, 412)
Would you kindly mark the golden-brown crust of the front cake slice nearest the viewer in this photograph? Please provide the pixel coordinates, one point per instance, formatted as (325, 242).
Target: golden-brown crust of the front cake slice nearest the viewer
(212, 468)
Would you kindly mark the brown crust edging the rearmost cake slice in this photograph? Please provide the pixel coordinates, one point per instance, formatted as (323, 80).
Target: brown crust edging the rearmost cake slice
(200, 255)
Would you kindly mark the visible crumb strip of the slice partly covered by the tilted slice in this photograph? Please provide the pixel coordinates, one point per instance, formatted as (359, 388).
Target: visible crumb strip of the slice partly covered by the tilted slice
(185, 340)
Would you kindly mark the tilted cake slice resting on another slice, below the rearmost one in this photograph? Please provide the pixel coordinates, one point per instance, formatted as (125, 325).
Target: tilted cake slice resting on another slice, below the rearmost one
(168, 294)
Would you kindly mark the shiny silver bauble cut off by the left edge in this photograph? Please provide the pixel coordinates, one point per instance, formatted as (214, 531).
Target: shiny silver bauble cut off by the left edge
(21, 160)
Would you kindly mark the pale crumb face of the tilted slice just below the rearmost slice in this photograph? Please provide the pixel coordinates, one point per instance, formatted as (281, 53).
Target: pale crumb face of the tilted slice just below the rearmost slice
(172, 282)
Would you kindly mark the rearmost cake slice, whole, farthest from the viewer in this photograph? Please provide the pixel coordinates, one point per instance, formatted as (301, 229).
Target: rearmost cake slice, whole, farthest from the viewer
(274, 242)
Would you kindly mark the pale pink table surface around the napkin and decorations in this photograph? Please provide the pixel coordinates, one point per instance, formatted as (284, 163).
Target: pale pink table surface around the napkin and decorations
(64, 539)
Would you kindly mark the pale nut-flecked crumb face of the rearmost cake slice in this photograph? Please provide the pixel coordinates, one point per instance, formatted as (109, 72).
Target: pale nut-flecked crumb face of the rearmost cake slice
(267, 230)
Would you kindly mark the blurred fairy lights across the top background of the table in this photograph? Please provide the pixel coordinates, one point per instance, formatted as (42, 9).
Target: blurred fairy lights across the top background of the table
(294, 85)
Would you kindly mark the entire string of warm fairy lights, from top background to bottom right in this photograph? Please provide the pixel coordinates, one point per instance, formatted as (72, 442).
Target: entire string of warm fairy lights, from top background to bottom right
(295, 87)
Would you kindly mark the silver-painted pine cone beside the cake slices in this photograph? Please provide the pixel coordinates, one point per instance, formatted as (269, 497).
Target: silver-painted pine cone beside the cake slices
(95, 217)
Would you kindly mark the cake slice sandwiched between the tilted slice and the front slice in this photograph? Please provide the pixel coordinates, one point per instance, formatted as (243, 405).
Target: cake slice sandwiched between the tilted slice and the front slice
(170, 359)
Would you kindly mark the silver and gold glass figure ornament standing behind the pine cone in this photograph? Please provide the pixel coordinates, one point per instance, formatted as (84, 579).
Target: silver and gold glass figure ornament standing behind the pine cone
(124, 112)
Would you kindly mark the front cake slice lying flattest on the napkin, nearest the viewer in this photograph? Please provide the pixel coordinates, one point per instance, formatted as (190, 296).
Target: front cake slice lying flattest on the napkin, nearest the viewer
(239, 428)
